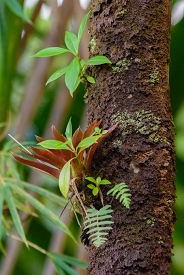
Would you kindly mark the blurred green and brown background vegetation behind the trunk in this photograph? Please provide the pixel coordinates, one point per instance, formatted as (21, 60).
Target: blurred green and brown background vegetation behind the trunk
(28, 107)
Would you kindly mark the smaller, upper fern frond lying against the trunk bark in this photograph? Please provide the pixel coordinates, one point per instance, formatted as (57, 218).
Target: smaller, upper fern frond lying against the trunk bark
(122, 192)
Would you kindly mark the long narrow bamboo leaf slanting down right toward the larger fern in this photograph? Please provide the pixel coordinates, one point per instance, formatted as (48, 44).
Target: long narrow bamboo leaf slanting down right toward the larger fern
(42, 209)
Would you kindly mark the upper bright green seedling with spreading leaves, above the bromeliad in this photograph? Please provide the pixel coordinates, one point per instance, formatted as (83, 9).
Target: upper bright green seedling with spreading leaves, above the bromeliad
(75, 72)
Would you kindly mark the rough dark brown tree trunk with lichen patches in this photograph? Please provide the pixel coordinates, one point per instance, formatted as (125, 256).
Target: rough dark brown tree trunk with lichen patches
(134, 91)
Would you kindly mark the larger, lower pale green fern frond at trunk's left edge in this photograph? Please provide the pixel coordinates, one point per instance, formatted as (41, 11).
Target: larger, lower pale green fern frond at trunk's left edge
(97, 223)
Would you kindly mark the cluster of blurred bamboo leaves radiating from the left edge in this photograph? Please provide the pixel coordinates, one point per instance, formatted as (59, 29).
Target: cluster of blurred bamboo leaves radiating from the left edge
(14, 197)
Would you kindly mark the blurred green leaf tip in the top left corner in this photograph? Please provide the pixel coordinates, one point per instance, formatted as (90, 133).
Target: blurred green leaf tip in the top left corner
(16, 8)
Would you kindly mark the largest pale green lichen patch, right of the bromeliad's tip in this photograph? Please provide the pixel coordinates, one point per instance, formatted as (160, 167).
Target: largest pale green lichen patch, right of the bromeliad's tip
(142, 122)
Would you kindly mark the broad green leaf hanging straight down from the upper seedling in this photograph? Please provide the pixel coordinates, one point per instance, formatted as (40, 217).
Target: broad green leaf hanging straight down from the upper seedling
(71, 76)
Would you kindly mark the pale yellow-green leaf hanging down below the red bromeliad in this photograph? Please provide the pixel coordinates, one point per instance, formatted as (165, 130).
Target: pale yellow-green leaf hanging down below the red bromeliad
(64, 179)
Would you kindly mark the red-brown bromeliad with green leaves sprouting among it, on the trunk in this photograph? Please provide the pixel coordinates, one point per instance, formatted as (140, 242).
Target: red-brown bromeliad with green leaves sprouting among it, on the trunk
(67, 158)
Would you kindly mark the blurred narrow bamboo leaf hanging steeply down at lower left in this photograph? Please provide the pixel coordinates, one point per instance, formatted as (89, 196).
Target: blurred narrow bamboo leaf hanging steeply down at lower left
(14, 213)
